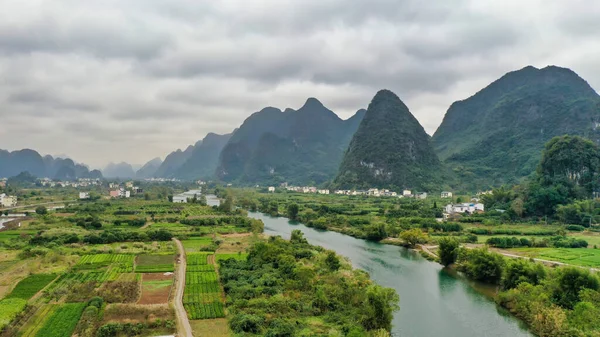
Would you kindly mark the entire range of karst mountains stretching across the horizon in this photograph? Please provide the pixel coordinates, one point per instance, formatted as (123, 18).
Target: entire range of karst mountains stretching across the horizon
(491, 138)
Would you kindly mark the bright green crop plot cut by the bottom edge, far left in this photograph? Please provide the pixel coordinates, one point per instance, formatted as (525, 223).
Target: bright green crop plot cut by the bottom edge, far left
(63, 321)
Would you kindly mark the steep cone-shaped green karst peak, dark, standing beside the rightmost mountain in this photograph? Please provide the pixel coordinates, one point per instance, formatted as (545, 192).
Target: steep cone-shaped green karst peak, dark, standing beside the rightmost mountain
(390, 149)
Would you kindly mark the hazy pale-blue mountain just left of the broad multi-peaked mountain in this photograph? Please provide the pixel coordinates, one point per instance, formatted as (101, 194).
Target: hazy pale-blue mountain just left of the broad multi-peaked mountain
(203, 159)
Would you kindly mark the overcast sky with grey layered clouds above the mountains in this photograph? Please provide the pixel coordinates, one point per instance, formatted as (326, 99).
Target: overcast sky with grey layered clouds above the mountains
(114, 80)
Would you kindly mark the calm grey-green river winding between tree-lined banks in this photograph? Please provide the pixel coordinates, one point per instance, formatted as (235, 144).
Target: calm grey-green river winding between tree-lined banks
(433, 302)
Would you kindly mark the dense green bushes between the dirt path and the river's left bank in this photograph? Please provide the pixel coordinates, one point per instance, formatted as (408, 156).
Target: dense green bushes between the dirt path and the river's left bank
(260, 300)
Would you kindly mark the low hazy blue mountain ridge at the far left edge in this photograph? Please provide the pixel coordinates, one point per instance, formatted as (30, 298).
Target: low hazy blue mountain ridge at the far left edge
(26, 160)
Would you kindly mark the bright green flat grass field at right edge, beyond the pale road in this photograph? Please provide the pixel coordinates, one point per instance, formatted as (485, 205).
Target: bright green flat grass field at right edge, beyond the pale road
(575, 256)
